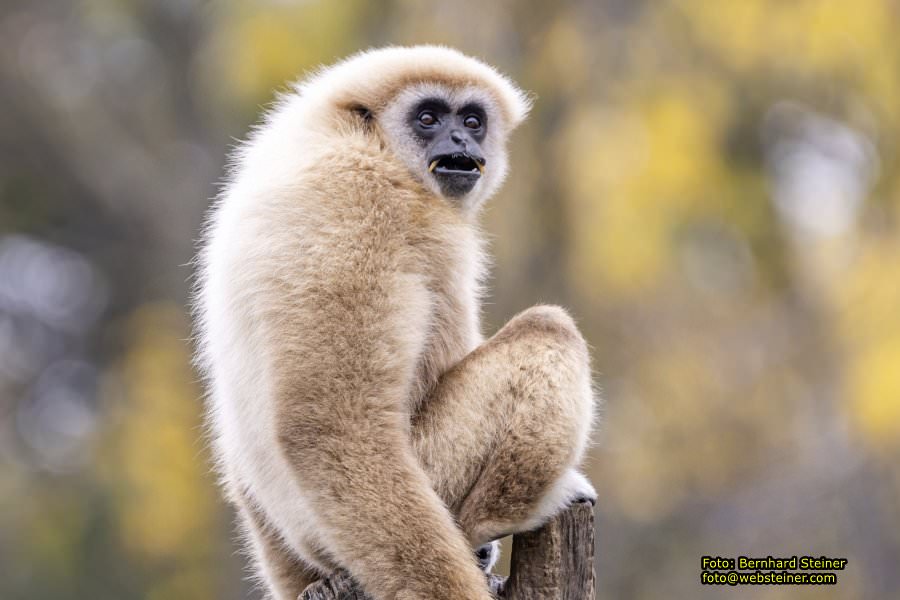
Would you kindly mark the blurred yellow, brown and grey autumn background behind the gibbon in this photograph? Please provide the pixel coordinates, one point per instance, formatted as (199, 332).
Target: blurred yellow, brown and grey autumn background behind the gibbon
(713, 188)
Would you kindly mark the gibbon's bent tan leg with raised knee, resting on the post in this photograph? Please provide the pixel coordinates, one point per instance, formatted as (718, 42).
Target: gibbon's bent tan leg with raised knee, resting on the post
(503, 432)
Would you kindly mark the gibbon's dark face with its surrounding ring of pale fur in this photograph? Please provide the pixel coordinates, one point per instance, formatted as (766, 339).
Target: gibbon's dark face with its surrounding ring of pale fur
(451, 139)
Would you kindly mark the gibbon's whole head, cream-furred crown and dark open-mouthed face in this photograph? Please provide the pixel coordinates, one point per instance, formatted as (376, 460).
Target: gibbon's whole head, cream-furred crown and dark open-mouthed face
(445, 116)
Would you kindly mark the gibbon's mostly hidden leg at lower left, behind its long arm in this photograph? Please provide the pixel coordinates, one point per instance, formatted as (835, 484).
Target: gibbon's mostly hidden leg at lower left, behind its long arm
(286, 573)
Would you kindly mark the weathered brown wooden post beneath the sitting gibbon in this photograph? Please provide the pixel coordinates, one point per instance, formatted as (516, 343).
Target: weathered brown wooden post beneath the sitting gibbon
(554, 562)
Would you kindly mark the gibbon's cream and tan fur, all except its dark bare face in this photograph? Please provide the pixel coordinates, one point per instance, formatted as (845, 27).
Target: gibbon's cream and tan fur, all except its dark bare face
(358, 419)
